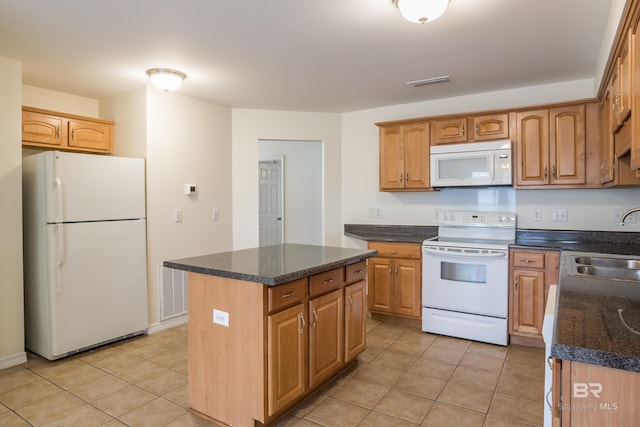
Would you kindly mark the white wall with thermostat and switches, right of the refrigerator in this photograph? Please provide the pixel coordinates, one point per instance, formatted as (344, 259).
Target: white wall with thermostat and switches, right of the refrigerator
(188, 141)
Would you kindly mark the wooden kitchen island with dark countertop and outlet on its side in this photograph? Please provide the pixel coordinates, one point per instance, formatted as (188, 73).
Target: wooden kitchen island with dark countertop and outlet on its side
(270, 325)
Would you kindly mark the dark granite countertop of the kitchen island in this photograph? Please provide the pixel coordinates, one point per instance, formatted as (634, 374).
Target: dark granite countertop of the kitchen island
(272, 265)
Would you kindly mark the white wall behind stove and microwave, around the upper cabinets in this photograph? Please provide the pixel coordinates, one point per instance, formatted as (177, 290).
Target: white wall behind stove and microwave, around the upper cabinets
(588, 209)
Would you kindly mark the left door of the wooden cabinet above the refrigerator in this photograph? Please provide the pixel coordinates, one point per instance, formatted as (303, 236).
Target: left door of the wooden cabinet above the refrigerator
(43, 130)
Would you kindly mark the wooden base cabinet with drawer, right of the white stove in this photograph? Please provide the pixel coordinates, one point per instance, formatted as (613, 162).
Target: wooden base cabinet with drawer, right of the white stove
(531, 272)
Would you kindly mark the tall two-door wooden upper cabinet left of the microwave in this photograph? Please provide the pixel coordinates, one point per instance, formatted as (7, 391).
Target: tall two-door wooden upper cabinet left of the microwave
(404, 157)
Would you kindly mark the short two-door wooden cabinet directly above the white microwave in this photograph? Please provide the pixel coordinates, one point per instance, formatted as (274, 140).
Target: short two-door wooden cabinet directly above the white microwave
(466, 129)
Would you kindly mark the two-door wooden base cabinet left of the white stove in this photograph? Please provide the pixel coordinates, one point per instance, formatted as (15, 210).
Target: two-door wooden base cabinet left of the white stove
(395, 279)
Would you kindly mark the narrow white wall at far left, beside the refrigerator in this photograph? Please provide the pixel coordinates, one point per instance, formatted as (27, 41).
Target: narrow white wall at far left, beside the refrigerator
(11, 285)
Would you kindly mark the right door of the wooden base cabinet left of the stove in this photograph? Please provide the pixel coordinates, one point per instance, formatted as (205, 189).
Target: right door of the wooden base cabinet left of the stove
(407, 288)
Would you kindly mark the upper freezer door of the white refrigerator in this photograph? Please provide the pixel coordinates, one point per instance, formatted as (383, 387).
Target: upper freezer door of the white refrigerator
(87, 187)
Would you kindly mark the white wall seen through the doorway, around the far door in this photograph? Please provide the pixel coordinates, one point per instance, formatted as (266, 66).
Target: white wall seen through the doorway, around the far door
(303, 185)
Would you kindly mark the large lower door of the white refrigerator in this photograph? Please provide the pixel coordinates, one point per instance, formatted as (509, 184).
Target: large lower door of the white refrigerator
(102, 289)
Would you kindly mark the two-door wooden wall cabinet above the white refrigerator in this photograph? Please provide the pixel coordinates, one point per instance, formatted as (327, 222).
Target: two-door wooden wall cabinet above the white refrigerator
(48, 129)
